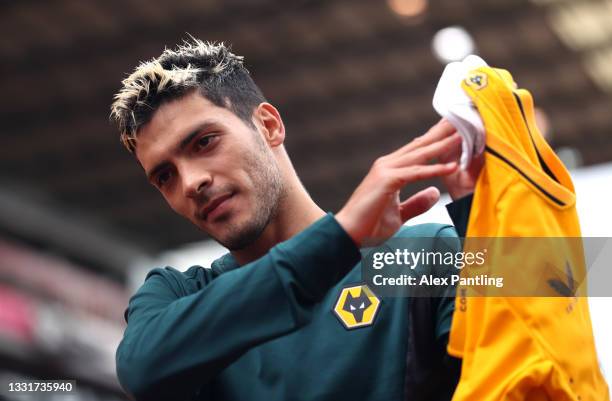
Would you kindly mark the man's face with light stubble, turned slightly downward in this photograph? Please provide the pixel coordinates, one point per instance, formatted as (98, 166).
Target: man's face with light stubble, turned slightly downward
(211, 168)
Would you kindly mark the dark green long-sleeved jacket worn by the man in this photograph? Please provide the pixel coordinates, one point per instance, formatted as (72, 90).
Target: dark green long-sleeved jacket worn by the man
(267, 330)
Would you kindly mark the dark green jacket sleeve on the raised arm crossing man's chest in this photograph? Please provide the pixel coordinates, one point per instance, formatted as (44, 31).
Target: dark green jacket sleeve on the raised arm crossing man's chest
(174, 344)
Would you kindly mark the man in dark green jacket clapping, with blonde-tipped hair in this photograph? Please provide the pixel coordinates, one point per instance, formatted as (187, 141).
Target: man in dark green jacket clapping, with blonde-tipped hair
(260, 323)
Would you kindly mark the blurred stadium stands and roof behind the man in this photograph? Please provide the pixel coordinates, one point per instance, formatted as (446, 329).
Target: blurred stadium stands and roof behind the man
(79, 225)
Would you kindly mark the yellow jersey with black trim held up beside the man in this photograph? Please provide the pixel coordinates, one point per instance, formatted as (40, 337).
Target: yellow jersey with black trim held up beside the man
(523, 348)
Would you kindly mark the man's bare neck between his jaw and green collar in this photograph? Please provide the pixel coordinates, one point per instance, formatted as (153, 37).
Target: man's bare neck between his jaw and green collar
(295, 212)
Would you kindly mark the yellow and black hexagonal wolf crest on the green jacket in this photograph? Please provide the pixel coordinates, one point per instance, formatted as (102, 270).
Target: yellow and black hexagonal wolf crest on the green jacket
(356, 306)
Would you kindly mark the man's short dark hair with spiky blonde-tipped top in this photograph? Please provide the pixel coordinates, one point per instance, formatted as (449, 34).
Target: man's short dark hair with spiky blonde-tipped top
(209, 67)
